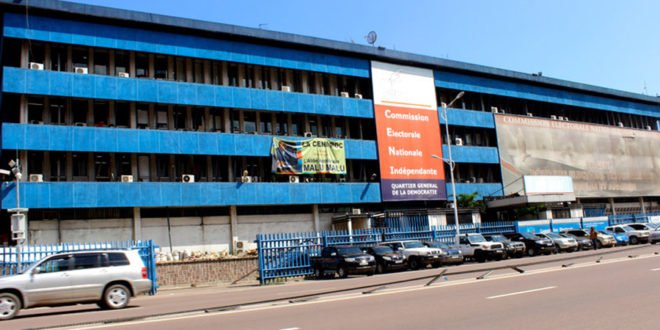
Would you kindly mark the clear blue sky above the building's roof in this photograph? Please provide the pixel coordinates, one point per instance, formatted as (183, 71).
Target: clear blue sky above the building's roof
(608, 43)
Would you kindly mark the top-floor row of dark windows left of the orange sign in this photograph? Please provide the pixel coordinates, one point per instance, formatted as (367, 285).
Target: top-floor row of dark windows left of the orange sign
(90, 60)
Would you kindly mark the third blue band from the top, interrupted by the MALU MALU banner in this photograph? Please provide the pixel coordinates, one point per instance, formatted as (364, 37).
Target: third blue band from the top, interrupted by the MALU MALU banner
(106, 139)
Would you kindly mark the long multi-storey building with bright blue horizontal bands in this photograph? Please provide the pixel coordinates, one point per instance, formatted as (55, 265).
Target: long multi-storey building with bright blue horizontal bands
(130, 125)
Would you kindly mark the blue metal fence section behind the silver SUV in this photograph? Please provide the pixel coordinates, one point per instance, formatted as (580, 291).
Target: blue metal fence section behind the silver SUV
(15, 259)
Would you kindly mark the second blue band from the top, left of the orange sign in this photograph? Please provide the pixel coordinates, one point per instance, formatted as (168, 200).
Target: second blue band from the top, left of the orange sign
(91, 86)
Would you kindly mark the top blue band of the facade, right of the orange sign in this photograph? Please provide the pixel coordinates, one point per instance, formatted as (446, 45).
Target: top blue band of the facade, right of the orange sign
(476, 84)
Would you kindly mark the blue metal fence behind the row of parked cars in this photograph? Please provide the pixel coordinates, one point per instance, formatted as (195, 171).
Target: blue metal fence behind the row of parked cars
(288, 255)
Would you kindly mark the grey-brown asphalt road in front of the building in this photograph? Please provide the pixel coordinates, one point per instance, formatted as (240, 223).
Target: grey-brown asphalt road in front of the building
(618, 291)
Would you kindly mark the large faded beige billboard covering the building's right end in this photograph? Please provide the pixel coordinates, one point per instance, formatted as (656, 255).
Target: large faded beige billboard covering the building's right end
(603, 161)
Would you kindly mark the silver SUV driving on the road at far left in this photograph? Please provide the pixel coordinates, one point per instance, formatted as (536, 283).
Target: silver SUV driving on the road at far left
(108, 278)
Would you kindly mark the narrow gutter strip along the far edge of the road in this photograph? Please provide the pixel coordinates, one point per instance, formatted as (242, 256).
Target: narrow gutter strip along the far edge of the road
(368, 289)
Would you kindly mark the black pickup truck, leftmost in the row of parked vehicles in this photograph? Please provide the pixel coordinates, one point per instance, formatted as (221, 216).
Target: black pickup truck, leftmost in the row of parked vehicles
(342, 260)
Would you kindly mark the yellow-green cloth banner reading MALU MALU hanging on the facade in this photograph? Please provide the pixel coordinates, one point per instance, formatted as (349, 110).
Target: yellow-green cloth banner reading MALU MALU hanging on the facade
(309, 156)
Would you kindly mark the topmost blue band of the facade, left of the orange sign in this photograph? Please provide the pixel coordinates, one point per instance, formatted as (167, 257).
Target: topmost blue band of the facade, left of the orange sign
(102, 35)
